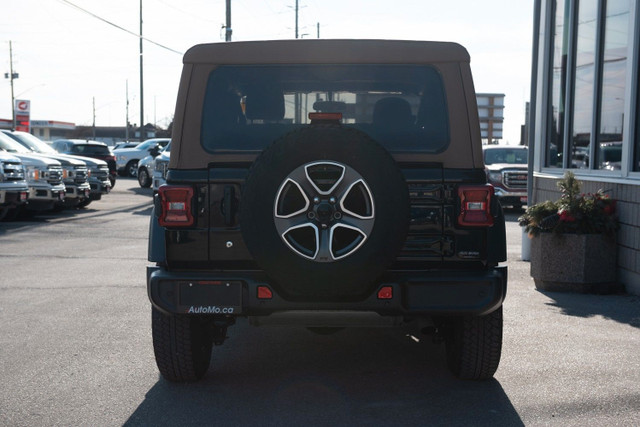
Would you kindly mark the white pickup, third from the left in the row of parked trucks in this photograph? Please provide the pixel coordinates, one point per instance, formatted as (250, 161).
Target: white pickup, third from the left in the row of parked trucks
(75, 174)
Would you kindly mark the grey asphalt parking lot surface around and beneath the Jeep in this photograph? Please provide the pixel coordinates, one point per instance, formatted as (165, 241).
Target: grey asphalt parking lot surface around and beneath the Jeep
(76, 347)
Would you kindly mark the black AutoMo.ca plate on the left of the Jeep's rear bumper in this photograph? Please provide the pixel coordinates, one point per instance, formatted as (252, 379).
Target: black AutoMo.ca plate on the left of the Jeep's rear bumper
(210, 297)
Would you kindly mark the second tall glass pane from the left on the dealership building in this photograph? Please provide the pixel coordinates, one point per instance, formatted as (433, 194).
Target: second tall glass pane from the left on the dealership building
(585, 67)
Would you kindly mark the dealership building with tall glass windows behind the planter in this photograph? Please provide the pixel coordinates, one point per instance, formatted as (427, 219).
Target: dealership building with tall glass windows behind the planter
(585, 112)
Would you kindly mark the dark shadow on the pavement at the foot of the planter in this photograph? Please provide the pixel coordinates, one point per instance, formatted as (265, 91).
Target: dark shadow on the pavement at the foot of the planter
(620, 308)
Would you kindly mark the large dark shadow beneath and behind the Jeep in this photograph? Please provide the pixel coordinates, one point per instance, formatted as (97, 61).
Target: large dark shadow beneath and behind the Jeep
(286, 376)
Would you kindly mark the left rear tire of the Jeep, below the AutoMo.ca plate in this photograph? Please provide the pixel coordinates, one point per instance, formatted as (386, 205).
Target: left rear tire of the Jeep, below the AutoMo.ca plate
(182, 345)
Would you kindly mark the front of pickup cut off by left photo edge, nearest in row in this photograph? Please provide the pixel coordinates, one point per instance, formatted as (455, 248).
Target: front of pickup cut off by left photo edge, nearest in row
(13, 186)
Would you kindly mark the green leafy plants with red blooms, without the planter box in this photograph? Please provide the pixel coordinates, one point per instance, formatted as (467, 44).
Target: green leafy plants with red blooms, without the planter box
(573, 213)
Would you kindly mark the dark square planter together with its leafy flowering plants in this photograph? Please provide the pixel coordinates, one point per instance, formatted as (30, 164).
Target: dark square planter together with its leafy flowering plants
(573, 246)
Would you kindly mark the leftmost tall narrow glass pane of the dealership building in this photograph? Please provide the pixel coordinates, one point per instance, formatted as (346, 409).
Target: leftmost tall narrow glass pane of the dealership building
(555, 142)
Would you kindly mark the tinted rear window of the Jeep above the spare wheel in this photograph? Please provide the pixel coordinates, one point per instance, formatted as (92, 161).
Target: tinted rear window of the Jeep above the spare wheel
(403, 107)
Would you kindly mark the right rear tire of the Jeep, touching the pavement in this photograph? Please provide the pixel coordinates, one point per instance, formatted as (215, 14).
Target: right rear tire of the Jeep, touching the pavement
(474, 345)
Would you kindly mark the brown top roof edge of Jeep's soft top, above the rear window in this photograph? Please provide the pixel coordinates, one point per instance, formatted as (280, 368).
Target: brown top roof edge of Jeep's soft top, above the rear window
(313, 51)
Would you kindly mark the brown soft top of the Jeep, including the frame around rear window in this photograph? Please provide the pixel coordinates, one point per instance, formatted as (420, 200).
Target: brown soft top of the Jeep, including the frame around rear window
(450, 59)
